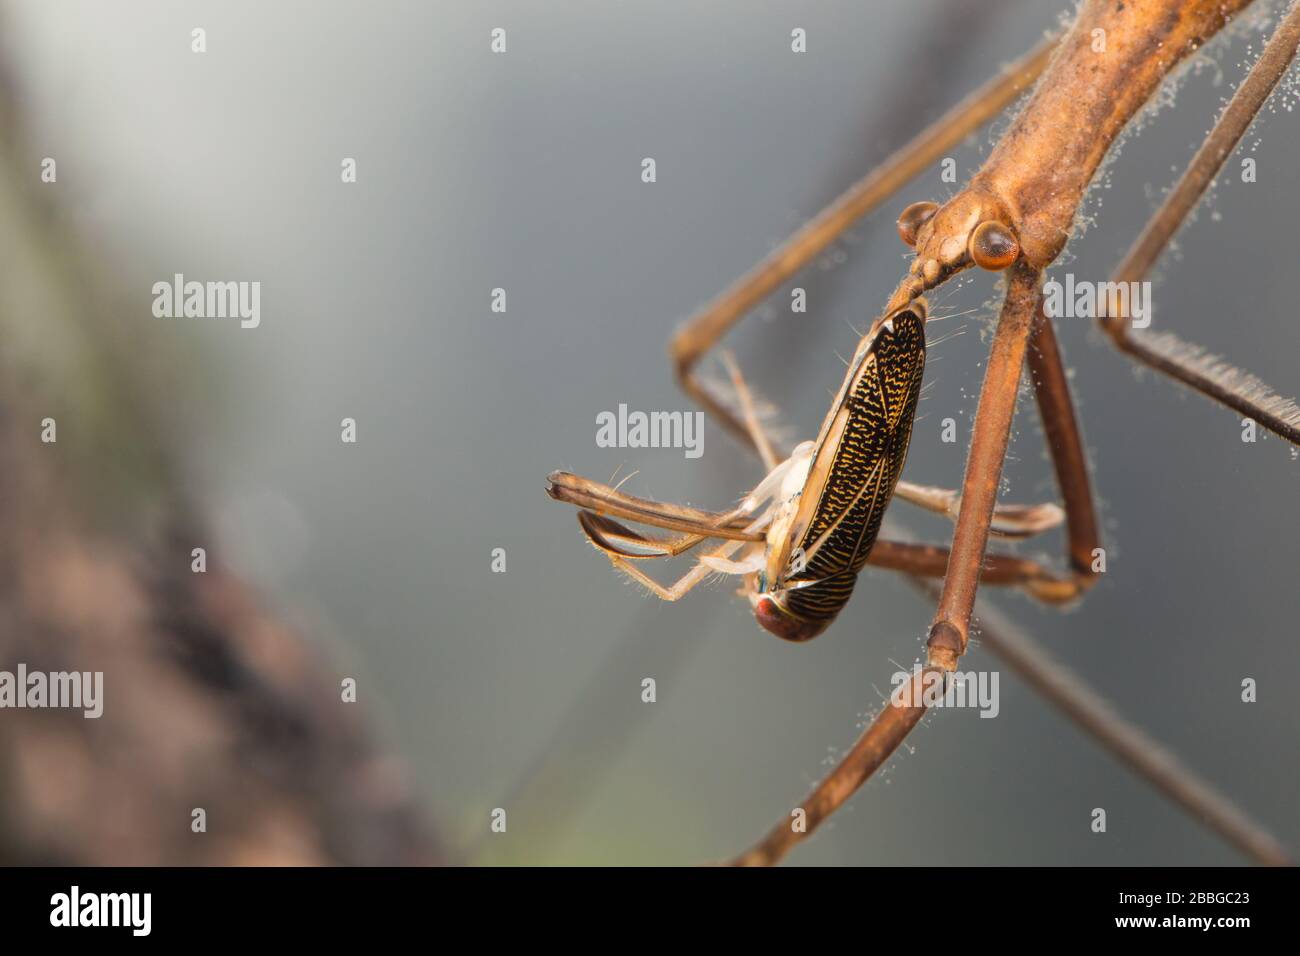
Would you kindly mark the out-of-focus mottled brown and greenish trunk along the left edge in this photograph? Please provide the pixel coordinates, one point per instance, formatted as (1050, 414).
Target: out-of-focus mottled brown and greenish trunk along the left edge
(210, 702)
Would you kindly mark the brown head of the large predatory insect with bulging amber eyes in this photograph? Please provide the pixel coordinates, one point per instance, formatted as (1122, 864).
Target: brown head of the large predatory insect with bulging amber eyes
(973, 228)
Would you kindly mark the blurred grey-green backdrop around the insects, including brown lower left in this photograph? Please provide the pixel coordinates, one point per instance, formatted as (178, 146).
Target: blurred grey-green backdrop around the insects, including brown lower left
(523, 690)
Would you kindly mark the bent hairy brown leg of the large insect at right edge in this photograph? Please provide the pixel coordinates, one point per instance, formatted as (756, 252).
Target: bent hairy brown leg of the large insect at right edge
(1165, 352)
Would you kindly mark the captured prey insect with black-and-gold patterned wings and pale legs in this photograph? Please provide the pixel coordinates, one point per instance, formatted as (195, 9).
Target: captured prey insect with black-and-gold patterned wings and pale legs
(811, 527)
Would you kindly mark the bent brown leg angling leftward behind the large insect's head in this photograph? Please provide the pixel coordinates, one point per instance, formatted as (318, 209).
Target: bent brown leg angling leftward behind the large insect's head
(694, 340)
